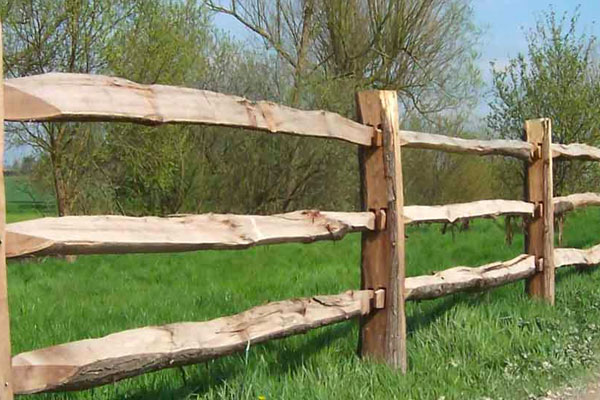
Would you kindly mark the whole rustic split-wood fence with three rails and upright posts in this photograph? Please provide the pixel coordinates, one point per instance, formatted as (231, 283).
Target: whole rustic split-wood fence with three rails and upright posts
(384, 289)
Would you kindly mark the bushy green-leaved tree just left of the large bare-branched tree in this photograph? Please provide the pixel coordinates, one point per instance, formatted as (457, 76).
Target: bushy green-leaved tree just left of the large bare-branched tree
(152, 170)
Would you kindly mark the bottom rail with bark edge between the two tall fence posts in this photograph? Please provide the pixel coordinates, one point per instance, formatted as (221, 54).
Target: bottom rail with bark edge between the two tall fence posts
(460, 279)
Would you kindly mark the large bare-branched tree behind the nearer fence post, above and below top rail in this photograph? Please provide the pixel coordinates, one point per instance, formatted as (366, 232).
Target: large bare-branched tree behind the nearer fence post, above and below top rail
(322, 53)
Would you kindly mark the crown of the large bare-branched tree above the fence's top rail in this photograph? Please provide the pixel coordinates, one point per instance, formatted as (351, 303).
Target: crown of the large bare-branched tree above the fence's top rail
(421, 48)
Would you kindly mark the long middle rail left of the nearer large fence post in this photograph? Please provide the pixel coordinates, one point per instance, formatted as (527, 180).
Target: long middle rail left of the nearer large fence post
(119, 234)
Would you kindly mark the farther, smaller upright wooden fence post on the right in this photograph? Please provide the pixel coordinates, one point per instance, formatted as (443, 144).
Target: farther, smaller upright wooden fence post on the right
(539, 235)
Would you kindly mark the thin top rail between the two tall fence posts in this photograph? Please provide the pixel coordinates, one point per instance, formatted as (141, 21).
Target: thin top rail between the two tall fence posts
(512, 148)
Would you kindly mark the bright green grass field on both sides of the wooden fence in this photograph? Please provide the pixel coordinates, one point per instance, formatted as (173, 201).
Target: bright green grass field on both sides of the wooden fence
(497, 345)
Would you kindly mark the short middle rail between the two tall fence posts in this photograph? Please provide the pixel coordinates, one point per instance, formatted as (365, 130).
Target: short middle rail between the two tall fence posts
(454, 212)
